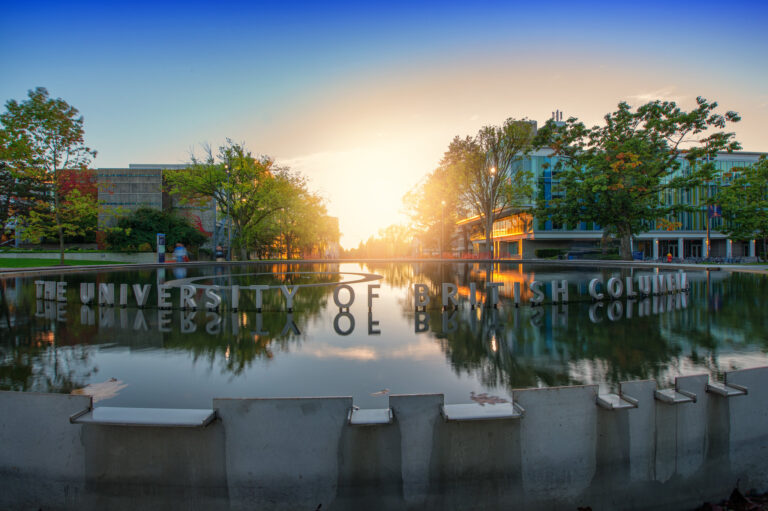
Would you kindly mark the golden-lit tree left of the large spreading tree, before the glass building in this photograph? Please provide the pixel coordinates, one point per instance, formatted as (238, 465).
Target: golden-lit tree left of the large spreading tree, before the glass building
(489, 170)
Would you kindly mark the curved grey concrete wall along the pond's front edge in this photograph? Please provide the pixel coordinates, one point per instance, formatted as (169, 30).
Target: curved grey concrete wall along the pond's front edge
(300, 453)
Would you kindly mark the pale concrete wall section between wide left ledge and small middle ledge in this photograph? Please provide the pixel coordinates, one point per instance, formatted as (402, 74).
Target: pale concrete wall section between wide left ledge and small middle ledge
(282, 453)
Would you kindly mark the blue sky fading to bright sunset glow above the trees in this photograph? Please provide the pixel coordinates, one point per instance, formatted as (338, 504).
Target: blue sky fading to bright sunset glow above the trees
(363, 99)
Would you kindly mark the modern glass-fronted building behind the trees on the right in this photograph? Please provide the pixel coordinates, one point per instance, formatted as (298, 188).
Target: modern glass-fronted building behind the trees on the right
(520, 235)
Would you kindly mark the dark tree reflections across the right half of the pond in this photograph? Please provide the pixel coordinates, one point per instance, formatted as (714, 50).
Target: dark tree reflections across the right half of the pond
(548, 348)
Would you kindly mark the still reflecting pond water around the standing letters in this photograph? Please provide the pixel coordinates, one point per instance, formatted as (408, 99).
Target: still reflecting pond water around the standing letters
(150, 357)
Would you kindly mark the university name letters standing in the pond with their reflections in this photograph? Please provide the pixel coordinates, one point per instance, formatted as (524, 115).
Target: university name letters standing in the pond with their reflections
(645, 295)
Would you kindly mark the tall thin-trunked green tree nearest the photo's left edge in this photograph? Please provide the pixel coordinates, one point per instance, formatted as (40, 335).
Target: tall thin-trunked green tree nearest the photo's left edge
(50, 134)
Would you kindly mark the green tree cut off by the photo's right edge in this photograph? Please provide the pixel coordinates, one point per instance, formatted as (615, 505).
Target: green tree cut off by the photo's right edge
(745, 204)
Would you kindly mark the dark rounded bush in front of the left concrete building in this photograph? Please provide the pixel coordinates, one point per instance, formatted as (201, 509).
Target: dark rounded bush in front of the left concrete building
(140, 228)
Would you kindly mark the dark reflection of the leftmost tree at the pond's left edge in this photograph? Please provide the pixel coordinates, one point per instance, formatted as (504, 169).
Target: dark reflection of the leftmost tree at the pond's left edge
(31, 357)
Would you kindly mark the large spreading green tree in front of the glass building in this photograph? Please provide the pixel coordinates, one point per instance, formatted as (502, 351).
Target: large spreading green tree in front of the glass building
(620, 175)
